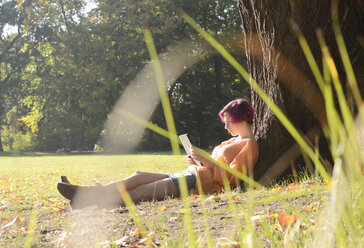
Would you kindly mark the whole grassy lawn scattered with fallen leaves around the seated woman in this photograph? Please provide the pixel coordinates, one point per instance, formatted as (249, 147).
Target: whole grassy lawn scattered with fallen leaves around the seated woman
(32, 212)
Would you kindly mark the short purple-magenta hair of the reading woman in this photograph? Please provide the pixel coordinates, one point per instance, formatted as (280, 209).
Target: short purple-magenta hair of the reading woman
(239, 110)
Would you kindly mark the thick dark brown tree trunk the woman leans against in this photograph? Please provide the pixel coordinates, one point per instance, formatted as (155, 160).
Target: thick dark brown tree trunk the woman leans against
(277, 63)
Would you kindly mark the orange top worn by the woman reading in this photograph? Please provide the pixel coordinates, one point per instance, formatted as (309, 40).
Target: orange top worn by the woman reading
(238, 154)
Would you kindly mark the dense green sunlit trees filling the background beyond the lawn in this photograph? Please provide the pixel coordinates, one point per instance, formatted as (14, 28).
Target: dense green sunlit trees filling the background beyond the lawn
(64, 66)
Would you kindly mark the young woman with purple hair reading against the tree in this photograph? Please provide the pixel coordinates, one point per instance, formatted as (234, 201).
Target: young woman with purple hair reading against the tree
(239, 153)
